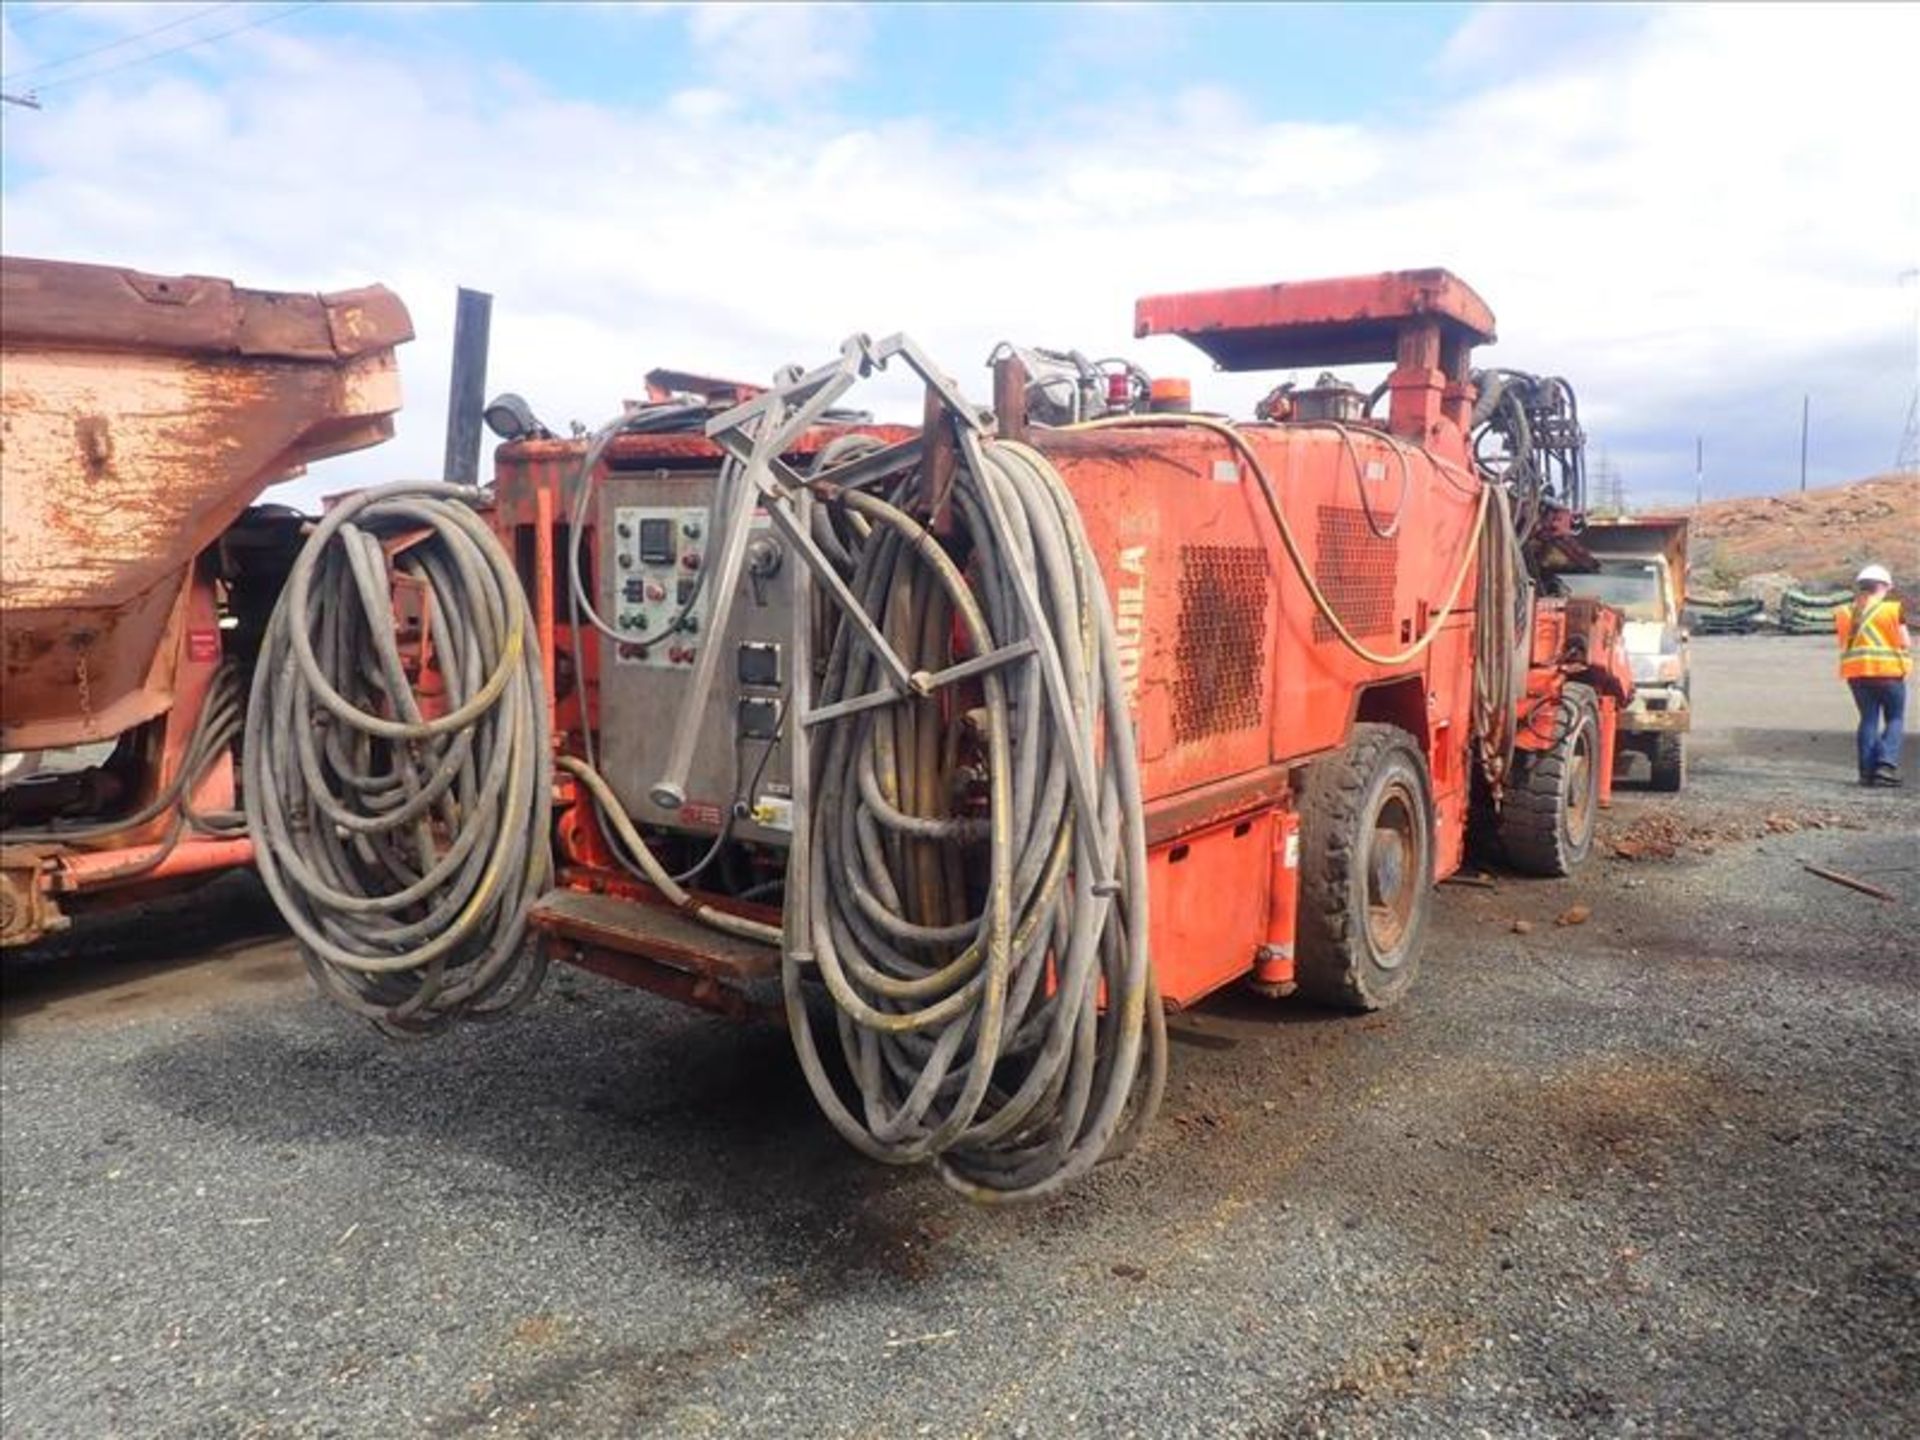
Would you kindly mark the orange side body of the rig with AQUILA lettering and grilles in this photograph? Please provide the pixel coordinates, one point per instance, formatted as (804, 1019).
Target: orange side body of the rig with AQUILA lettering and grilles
(1234, 671)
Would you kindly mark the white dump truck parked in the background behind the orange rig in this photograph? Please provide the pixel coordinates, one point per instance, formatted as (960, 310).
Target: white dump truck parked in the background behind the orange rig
(1641, 569)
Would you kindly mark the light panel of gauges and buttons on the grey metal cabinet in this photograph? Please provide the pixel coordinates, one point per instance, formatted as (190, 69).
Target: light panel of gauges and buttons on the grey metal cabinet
(661, 604)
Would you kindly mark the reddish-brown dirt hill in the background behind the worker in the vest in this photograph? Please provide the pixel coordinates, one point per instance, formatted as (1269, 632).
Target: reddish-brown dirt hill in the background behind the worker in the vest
(1819, 539)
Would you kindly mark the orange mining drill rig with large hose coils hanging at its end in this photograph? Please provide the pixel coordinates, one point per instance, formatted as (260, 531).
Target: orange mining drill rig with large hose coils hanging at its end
(971, 748)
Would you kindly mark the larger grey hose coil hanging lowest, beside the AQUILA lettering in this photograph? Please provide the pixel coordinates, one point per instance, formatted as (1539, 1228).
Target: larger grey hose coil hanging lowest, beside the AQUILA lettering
(978, 923)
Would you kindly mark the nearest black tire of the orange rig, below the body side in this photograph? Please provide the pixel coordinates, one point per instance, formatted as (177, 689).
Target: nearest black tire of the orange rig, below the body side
(1366, 871)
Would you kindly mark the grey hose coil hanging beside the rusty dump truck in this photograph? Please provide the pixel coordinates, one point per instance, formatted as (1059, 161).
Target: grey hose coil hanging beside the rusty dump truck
(404, 850)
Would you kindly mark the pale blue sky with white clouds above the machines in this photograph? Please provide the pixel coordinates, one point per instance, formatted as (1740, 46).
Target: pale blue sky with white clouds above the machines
(1694, 214)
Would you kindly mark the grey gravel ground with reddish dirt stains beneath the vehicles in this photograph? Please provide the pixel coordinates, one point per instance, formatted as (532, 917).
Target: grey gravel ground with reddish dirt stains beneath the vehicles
(1646, 1174)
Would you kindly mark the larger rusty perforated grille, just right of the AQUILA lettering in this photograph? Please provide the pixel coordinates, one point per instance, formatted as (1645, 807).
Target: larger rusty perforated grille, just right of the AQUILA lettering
(1224, 636)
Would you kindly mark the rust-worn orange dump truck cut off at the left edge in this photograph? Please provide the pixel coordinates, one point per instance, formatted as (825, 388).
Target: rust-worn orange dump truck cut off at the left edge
(143, 416)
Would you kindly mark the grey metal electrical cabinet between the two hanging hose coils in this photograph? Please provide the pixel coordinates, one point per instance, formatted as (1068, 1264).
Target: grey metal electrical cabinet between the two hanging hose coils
(654, 550)
